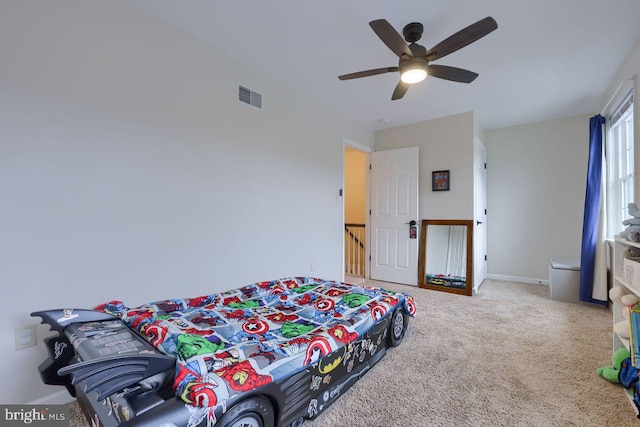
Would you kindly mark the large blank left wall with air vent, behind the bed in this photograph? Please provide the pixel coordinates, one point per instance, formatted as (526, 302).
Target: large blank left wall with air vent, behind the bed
(129, 171)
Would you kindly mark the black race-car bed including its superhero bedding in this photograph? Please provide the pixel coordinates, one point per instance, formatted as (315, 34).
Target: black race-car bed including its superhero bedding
(268, 354)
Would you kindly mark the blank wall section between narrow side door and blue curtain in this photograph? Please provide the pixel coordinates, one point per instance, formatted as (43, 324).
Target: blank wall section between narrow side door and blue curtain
(536, 177)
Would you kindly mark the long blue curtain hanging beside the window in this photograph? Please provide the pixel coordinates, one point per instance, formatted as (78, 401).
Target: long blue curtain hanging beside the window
(591, 211)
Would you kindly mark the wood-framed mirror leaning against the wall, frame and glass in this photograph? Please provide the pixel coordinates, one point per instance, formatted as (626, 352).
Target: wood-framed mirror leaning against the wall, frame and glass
(445, 260)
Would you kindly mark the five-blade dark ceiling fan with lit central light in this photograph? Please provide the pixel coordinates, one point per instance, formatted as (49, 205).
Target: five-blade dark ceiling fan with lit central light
(414, 64)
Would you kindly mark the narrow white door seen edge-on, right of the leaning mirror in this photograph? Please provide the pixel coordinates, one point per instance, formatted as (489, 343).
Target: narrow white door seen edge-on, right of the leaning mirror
(480, 202)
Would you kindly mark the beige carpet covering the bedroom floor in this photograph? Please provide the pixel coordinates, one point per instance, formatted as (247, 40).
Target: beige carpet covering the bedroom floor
(509, 356)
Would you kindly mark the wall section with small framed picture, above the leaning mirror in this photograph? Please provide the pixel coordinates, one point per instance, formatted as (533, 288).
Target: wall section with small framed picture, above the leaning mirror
(445, 143)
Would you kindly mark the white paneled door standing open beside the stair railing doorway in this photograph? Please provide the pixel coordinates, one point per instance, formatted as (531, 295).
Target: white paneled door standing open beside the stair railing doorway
(394, 204)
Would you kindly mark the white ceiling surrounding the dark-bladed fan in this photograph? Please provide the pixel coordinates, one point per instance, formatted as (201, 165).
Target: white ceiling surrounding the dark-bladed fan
(547, 59)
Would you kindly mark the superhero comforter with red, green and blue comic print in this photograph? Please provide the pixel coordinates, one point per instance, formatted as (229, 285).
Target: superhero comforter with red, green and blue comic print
(242, 339)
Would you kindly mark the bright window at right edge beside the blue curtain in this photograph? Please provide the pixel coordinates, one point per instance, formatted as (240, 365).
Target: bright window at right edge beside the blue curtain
(620, 165)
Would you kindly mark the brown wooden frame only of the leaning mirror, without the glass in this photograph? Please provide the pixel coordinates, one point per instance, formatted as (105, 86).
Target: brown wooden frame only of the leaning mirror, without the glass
(422, 255)
